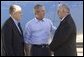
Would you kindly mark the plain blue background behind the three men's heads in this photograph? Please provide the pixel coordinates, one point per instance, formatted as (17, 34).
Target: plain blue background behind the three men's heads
(76, 8)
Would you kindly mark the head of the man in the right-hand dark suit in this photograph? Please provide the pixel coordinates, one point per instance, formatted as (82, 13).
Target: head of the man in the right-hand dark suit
(63, 10)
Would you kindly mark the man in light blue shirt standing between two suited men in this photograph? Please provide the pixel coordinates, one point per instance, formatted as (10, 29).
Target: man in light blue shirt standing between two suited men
(38, 33)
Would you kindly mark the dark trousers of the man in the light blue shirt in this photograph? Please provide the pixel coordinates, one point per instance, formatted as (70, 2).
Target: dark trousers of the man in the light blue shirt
(37, 50)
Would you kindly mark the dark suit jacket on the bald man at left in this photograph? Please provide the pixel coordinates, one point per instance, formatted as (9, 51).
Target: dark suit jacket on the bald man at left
(12, 40)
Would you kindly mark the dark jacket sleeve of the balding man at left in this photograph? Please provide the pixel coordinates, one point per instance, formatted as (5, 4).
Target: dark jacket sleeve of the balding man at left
(7, 38)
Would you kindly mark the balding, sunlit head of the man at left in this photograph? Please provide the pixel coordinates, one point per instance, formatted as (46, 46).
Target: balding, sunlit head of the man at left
(15, 11)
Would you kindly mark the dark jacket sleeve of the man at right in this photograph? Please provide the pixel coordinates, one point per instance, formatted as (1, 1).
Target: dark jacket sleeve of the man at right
(61, 35)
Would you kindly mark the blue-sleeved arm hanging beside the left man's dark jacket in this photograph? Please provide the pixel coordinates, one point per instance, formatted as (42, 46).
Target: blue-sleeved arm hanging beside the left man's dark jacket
(27, 34)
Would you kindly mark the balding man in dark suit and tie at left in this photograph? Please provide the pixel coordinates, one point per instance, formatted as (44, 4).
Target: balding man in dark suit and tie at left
(12, 35)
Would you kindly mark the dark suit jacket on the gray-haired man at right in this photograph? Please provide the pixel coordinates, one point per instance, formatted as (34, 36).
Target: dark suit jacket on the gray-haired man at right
(64, 40)
